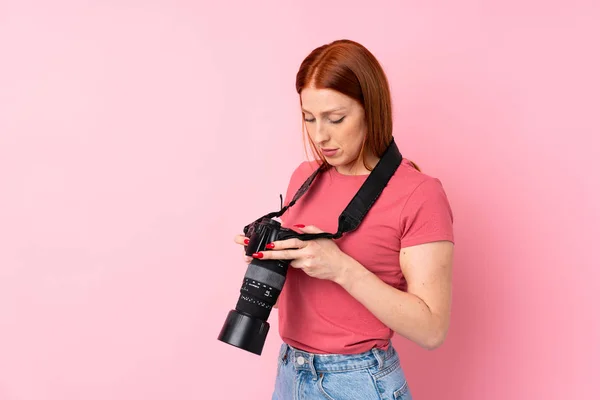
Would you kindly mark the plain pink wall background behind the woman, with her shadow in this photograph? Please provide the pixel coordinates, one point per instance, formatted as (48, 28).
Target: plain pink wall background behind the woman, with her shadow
(138, 137)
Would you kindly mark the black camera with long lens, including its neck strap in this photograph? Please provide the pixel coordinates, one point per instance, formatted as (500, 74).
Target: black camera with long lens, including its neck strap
(246, 327)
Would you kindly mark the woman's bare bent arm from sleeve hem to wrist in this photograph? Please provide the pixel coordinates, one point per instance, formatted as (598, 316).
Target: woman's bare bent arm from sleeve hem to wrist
(422, 314)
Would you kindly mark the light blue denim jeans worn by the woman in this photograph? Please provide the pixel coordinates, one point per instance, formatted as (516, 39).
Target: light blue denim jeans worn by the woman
(372, 375)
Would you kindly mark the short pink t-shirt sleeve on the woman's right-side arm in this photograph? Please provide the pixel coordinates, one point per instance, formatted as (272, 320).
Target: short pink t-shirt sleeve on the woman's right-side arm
(427, 215)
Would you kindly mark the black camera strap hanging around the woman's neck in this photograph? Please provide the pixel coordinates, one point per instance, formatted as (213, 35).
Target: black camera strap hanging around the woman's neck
(362, 201)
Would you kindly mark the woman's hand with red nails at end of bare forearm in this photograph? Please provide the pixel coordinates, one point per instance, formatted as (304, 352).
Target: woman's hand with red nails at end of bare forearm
(319, 258)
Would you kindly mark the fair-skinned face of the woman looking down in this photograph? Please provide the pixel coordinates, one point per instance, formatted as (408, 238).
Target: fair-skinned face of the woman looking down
(336, 125)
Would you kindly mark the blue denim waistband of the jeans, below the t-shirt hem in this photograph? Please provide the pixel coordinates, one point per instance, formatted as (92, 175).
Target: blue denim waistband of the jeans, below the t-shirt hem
(316, 363)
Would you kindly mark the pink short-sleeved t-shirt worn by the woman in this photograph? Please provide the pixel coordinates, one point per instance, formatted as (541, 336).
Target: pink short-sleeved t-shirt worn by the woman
(318, 315)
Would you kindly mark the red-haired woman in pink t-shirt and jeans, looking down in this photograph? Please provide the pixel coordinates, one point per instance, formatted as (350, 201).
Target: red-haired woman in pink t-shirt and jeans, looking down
(344, 299)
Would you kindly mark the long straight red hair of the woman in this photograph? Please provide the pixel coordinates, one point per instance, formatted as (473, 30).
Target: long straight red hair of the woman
(349, 68)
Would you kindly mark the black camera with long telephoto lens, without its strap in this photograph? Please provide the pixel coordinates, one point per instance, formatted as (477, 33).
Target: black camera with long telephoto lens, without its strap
(246, 326)
